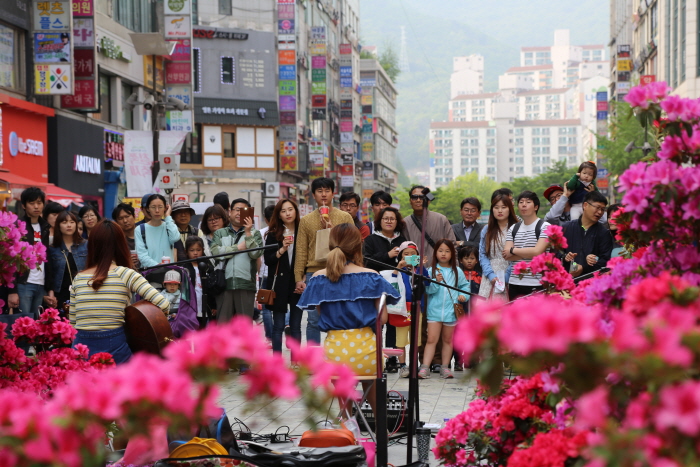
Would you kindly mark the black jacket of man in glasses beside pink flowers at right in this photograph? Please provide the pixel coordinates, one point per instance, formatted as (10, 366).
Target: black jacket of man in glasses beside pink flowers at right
(594, 241)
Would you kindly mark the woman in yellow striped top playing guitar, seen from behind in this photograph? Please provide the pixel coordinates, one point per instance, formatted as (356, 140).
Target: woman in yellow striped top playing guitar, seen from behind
(104, 289)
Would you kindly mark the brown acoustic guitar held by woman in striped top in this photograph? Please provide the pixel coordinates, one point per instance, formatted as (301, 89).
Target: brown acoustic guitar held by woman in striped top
(147, 329)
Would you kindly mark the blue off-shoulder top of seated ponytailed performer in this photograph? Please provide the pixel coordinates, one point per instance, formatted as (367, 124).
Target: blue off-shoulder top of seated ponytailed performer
(348, 303)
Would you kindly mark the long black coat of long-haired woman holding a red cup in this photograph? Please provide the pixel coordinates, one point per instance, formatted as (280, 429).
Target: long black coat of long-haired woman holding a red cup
(285, 283)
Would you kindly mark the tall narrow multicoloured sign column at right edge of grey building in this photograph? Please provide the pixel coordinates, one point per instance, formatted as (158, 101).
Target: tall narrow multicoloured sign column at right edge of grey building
(287, 63)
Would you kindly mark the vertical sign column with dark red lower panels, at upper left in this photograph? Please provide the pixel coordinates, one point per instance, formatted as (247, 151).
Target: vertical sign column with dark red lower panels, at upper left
(84, 95)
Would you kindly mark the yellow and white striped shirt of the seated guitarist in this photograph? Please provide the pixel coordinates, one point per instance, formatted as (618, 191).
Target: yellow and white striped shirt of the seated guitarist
(103, 309)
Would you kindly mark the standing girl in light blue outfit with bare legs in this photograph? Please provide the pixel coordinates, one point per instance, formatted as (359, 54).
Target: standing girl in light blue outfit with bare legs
(441, 315)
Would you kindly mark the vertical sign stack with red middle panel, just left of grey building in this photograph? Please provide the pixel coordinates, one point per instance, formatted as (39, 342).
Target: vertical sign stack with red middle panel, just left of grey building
(178, 67)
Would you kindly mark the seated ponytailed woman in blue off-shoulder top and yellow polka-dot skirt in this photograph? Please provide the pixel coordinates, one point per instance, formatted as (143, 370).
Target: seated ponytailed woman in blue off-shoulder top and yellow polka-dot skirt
(346, 296)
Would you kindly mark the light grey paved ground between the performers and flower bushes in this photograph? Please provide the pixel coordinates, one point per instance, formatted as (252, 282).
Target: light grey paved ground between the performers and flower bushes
(439, 399)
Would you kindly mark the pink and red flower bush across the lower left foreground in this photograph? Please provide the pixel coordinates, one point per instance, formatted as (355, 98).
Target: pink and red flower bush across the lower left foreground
(55, 408)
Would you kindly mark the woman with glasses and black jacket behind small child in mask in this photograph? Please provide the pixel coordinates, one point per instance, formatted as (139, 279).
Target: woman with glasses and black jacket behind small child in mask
(383, 246)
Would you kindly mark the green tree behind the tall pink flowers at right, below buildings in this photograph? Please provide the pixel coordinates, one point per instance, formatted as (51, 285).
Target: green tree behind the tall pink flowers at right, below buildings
(624, 128)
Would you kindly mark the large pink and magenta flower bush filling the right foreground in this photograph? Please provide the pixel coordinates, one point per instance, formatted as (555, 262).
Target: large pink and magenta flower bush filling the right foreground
(619, 360)
